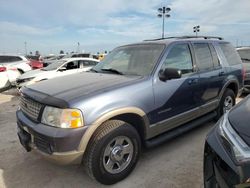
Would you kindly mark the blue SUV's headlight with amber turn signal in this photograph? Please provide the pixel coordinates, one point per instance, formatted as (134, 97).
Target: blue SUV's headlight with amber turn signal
(62, 118)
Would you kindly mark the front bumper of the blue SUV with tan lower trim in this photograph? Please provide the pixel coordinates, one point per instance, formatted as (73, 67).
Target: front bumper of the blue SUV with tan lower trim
(55, 144)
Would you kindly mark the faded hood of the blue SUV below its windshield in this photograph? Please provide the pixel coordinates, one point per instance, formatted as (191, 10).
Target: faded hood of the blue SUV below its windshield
(83, 84)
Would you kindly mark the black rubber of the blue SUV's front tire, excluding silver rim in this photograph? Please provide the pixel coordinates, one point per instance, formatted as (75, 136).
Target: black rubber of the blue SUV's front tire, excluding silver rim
(98, 169)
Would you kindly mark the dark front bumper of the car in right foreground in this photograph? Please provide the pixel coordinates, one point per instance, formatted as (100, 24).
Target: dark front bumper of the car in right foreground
(219, 163)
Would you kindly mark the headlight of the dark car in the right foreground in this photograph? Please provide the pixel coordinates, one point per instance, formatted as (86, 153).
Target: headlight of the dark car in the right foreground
(240, 149)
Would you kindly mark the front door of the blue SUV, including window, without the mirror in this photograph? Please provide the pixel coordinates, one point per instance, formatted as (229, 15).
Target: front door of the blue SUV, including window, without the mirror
(177, 100)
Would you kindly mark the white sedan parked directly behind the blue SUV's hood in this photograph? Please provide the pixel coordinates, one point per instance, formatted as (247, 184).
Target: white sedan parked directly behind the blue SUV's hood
(59, 68)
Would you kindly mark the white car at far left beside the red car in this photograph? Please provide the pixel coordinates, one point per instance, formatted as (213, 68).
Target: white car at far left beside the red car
(19, 62)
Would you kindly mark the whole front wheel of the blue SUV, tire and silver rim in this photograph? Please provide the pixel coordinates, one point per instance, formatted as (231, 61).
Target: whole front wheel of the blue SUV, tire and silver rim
(113, 152)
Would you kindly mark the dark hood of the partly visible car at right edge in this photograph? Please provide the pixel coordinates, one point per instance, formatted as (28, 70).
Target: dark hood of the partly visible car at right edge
(239, 118)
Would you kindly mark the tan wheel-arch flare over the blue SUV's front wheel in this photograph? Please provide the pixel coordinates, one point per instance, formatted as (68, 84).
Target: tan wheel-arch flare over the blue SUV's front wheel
(92, 128)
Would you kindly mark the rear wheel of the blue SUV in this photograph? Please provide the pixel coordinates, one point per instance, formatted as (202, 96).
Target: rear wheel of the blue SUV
(226, 103)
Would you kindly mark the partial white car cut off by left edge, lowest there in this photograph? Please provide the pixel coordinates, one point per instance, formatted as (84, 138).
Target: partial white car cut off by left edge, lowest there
(7, 77)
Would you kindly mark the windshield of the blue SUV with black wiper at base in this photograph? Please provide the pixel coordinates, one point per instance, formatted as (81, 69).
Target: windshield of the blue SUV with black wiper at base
(131, 60)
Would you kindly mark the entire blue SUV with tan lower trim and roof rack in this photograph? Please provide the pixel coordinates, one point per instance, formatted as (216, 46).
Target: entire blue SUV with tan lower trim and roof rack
(139, 95)
